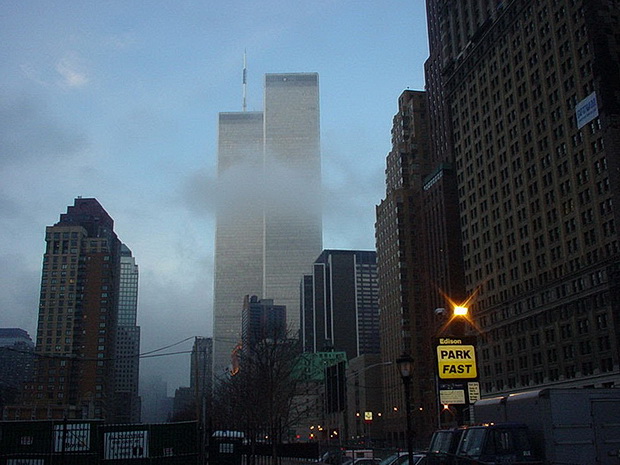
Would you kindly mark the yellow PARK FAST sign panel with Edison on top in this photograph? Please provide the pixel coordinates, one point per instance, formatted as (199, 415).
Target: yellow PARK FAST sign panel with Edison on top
(456, 360)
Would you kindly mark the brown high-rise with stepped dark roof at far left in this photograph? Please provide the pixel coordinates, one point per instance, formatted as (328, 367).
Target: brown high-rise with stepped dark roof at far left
(78, 315)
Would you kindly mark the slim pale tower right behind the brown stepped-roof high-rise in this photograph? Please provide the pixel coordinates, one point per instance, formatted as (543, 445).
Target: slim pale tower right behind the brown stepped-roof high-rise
(127, 362)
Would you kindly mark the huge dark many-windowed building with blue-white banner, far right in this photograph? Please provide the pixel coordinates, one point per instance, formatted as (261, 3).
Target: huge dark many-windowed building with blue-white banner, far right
(529, 119)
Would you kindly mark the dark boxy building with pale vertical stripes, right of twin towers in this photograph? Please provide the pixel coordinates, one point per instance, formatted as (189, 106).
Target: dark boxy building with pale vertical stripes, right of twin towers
(340, 307)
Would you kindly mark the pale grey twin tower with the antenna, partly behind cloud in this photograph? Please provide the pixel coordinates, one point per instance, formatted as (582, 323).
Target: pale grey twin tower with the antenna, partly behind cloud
(239, 229)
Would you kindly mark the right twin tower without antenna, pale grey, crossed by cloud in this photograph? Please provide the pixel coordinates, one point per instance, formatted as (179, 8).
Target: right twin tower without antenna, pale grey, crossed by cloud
(293, 214)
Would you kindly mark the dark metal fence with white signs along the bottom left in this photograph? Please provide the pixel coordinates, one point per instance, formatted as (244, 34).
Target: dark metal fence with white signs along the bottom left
(91, 442)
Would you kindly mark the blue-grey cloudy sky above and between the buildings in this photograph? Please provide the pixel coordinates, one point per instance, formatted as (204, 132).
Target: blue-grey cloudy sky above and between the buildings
(118, 100)
